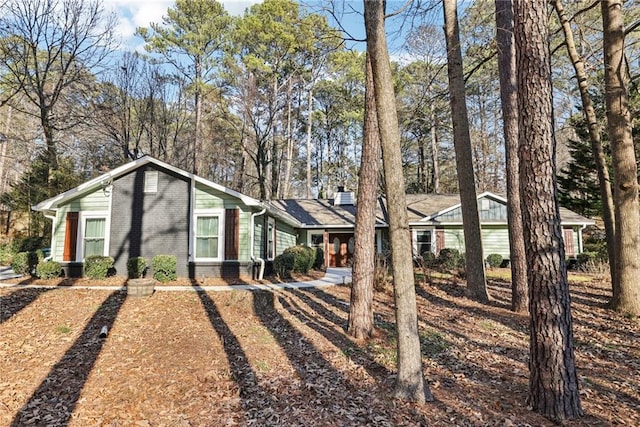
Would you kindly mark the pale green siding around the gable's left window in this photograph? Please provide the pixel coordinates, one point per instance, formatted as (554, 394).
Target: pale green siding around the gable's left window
(96, 201)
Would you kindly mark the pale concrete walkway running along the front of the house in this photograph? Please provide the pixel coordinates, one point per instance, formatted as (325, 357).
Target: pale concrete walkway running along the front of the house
(334, 276)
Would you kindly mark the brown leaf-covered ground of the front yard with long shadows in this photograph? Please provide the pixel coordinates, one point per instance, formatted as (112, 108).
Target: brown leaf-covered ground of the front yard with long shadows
(282, 358)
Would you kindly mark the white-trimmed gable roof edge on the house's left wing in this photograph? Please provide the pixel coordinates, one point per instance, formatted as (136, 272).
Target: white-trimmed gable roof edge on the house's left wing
(104, 179)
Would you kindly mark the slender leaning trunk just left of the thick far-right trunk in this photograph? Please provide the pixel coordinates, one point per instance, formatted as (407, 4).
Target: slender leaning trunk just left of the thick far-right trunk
(595, 137)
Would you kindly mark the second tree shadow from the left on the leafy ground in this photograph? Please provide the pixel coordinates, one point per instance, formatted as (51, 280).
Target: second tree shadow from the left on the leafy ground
(257, 403)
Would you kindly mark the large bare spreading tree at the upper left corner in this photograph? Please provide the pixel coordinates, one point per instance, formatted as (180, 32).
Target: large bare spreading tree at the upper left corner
(48, 48)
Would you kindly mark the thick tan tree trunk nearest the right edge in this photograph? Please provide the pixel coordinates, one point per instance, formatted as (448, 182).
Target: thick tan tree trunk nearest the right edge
(626, 291)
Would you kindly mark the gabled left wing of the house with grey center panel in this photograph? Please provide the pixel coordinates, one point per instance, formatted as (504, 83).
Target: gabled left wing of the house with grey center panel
(147, 208)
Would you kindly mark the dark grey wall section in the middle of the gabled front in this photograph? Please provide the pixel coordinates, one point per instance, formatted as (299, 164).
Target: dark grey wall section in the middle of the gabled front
(149, 224)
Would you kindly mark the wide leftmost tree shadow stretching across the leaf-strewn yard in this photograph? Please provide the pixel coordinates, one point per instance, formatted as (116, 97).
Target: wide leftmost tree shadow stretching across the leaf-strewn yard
(54, 401)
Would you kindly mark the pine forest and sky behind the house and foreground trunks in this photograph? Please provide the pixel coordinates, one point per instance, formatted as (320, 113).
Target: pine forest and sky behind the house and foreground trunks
(269, 103)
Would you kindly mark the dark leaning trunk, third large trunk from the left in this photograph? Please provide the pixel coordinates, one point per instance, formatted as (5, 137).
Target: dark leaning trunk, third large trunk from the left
(476, 281)
